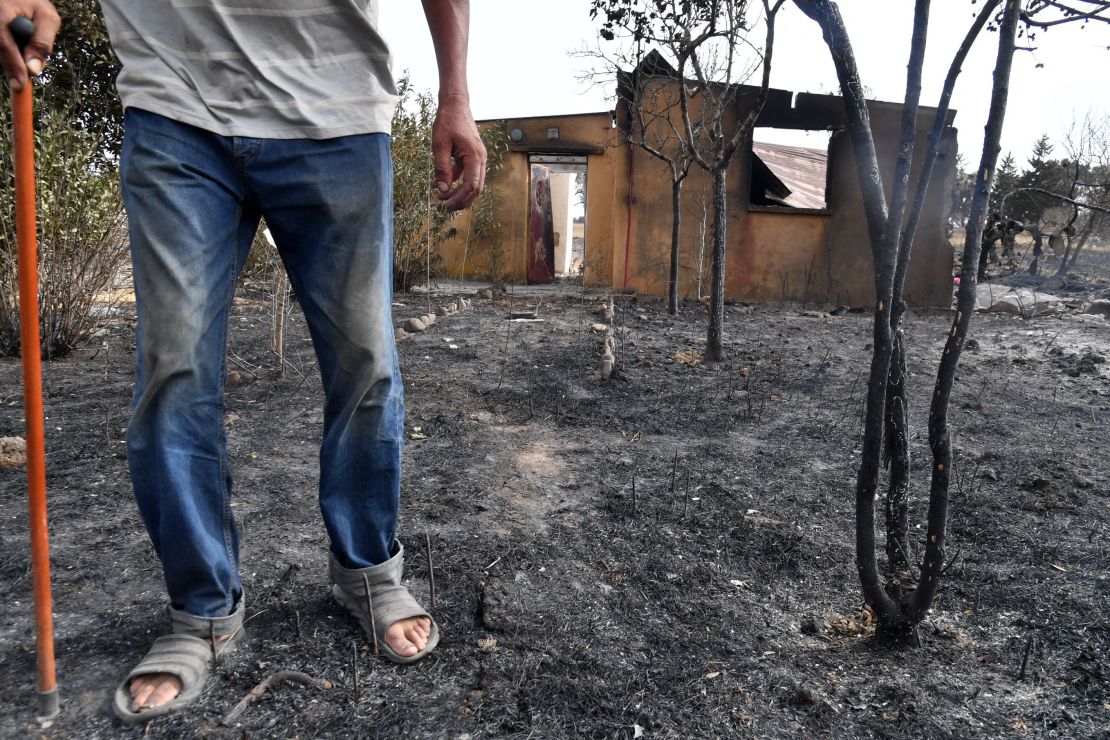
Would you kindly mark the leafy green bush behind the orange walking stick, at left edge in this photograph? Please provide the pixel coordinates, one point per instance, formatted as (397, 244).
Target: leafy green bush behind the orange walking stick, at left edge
(83, 240)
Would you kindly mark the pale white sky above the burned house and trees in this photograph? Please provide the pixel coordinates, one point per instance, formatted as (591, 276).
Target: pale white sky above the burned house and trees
(522, 64)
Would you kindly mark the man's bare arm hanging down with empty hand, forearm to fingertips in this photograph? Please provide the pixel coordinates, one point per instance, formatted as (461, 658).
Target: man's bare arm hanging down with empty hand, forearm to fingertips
(455, 134)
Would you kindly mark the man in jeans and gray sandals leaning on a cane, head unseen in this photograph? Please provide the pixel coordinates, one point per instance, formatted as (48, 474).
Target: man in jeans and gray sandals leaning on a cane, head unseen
(238, 110)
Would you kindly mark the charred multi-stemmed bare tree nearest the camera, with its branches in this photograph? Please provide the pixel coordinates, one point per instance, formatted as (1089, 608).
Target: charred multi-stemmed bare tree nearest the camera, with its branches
(891, 230)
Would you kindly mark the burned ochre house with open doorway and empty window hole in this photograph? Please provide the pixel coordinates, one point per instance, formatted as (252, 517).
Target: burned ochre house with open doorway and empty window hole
(574, 197)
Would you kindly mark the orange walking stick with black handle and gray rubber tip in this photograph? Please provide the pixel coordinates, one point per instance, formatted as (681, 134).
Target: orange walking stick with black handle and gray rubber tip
(27, 240)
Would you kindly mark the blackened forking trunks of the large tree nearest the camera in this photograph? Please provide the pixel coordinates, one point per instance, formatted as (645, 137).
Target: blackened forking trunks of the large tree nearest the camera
(899, 620)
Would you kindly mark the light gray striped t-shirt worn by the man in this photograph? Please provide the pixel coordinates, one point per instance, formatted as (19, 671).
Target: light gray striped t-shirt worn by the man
(275, 69)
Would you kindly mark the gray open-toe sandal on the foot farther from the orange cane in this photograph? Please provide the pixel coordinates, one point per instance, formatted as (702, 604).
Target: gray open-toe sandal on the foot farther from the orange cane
(389, 602)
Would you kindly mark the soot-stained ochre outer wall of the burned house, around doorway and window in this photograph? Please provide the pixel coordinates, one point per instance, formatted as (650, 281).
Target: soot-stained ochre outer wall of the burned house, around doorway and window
(816, 257)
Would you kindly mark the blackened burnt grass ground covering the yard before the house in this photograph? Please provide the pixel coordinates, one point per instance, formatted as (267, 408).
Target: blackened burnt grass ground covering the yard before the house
(719, 601)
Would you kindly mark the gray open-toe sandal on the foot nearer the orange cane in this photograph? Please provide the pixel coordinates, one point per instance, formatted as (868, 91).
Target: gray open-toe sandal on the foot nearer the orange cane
(188, 653)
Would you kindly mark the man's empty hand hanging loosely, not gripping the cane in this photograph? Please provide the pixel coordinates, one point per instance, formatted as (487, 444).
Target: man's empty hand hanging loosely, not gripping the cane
(456, 137)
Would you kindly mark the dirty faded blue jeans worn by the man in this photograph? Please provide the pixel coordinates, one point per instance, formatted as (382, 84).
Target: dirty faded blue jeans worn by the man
(195, 200)
